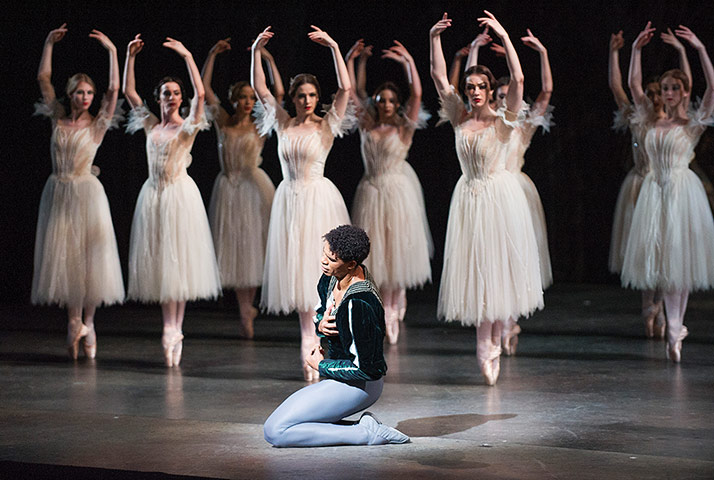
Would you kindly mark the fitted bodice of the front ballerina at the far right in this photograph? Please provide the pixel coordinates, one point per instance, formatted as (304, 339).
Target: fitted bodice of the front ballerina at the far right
(669, 151)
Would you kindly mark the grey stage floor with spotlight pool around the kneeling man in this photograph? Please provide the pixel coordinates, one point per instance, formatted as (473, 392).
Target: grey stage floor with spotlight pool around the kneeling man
(587, 397)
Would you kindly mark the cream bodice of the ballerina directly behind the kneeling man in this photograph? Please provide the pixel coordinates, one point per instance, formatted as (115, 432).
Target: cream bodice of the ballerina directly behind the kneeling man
(302, 157)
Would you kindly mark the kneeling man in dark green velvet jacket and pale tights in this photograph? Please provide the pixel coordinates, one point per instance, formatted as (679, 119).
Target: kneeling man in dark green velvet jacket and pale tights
(352, 318)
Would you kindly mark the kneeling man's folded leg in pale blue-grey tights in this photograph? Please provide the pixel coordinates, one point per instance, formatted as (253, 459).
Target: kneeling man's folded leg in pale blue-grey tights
(308, 417)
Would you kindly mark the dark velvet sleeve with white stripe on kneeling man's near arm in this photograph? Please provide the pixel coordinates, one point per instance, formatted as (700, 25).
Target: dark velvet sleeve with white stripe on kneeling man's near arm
(367, 338)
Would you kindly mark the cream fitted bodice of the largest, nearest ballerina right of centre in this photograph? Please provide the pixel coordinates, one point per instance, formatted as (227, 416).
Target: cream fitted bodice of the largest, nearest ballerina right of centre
(480, 153)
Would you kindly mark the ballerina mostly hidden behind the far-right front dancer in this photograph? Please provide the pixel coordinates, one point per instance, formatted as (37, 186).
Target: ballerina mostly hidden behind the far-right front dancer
(652, 308)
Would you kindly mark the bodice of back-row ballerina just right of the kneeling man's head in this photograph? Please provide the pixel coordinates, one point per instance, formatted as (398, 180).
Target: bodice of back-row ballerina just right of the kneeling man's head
(382, 153)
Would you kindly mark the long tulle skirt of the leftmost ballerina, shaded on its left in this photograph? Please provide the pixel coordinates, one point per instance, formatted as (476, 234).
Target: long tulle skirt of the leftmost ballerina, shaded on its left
(76, 257)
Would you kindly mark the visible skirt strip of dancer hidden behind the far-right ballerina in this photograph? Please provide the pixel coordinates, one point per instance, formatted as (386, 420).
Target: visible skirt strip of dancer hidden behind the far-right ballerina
(621, 224)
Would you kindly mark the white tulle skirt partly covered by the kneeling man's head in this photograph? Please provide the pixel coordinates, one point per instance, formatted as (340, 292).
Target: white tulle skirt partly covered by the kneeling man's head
(303, 211)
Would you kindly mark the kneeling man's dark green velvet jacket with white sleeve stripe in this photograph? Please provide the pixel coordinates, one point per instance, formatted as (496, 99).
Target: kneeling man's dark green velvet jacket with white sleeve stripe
(356, 353)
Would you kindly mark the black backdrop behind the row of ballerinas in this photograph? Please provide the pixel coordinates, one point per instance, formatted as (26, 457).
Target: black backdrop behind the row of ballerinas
(577, 168)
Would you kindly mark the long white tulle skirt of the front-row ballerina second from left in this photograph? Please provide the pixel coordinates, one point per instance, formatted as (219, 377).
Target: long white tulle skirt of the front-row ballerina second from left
(171, 256)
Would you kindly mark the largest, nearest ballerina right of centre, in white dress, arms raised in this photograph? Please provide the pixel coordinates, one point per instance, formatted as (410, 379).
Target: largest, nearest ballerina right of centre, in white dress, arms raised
(491, 269)
